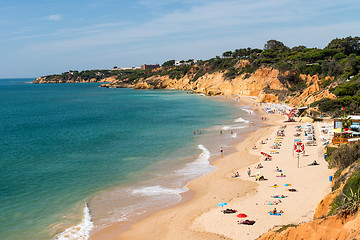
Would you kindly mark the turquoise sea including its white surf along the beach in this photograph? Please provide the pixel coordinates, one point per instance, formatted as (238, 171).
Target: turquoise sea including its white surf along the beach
(75, 158)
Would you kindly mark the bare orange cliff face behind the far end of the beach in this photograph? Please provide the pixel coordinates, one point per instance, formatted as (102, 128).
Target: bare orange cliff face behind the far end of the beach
(263, 83)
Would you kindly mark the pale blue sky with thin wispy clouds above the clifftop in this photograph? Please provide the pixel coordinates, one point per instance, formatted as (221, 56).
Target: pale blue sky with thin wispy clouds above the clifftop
(40, 37)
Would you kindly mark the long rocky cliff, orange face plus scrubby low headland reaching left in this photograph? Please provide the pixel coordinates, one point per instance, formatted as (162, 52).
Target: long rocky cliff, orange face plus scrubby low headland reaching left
(264, 83)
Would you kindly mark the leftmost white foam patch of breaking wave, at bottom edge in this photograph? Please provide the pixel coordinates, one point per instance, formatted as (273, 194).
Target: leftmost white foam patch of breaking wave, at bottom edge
(79, 232)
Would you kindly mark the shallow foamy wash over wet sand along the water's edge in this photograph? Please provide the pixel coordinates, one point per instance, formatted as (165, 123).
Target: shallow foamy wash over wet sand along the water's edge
(103, 216)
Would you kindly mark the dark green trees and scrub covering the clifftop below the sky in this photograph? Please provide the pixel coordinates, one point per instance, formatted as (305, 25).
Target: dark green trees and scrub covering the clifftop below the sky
(337, 65)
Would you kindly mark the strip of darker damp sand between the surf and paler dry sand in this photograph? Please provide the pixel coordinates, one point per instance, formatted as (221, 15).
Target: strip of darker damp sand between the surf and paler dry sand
(120, 230)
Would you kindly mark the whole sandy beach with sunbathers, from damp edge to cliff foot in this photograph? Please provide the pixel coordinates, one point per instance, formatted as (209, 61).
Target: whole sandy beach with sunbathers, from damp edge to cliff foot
(200, 218)
